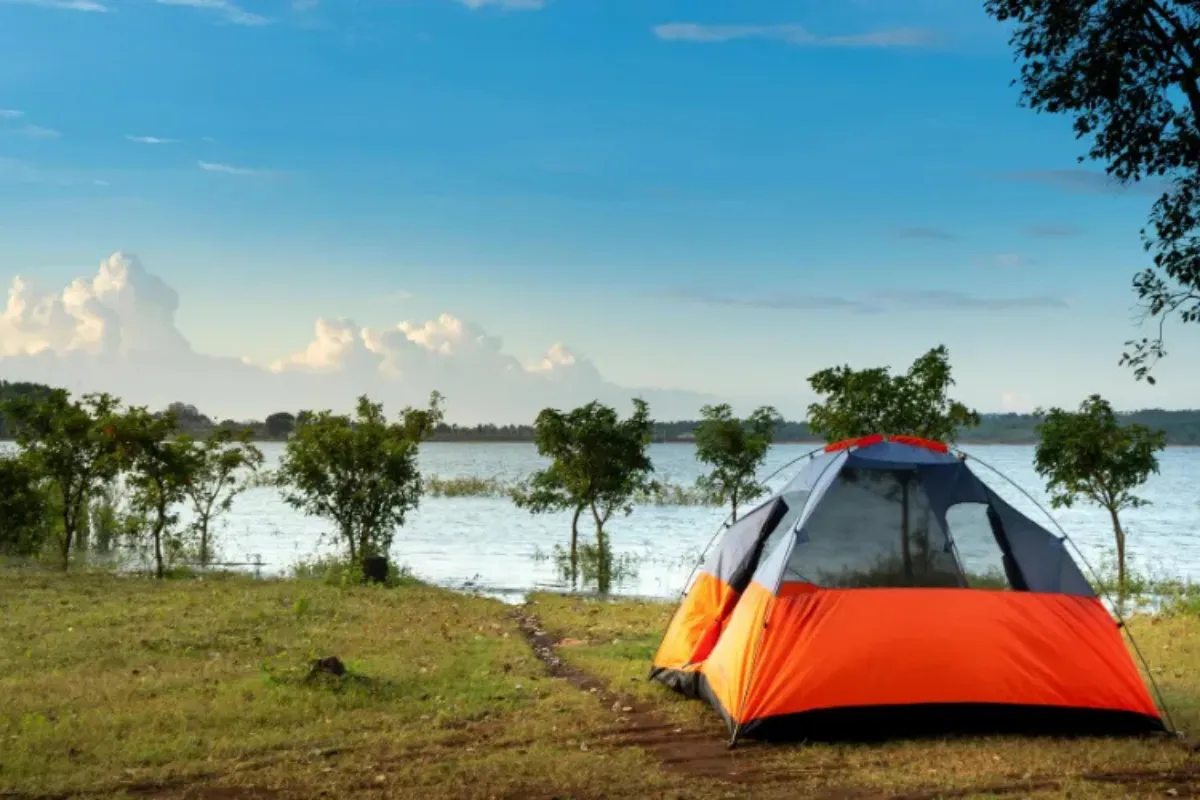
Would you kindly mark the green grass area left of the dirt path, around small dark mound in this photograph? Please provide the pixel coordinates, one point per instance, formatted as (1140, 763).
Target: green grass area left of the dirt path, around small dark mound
(111, 683)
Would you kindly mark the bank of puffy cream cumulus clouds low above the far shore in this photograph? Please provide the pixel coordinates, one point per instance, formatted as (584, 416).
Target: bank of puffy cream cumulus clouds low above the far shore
(116, 332)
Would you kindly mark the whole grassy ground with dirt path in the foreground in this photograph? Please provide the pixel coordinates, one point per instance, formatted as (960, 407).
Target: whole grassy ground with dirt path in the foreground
(201, 689)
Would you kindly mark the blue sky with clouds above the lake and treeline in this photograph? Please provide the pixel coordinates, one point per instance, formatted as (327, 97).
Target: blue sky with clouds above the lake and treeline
(269, 206)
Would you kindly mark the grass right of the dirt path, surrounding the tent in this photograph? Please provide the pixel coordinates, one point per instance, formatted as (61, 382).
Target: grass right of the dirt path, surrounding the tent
(616, 641)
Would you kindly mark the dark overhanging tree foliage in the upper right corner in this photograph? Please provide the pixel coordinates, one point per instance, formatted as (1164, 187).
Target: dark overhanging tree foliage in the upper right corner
(1129, 73)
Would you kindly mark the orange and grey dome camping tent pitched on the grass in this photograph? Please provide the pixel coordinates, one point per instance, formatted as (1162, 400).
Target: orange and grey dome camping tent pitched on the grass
(887, 590)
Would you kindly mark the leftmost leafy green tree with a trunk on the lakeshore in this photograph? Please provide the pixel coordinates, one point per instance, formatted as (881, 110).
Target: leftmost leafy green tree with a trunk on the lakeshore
(73, 444)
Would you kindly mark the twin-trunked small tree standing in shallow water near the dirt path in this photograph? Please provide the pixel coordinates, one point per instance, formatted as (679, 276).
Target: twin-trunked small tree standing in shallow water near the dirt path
(599, 465)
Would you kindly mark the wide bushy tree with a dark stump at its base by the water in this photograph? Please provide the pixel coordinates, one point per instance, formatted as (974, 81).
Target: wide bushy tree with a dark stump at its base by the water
(361, 474)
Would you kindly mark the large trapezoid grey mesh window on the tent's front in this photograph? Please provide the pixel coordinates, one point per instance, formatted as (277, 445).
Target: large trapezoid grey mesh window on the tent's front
(874, 528)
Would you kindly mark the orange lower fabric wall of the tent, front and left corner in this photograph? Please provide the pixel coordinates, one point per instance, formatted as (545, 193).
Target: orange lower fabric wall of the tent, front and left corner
(826, 649)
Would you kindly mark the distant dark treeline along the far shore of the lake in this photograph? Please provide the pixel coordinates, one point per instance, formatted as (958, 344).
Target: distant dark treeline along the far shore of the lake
(1181, 428)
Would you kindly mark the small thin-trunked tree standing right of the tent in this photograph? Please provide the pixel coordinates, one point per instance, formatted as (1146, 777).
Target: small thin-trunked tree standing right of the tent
(1090, 455)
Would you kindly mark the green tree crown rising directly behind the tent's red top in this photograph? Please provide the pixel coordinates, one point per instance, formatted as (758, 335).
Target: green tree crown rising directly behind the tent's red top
(865, 402)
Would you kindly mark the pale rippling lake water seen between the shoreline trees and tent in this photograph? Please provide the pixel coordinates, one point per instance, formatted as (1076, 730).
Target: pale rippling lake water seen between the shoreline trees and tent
(489, 545)
